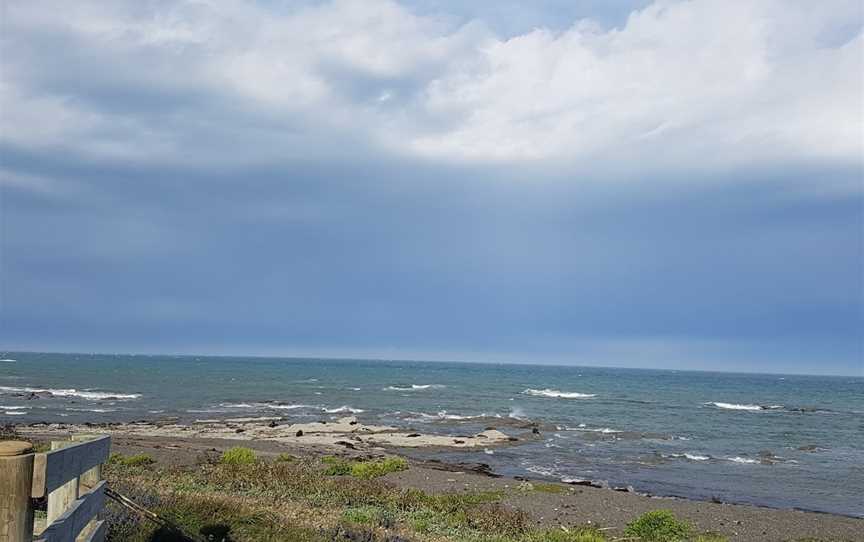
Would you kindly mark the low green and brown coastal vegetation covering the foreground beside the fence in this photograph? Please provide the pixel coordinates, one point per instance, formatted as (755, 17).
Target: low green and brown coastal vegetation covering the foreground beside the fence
(300, 500)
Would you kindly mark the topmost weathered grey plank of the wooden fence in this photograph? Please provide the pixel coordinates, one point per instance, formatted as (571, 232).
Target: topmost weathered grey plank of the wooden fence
(63, 465)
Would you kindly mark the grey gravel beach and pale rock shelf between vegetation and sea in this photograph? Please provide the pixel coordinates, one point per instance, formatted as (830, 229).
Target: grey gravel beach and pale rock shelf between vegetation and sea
(583, 503)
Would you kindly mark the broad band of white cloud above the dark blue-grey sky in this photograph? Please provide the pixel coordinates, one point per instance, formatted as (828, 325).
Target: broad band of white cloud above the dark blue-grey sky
(680, 84)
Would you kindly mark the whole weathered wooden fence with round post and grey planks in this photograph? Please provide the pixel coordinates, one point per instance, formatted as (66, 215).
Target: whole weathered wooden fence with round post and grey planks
(70, 474)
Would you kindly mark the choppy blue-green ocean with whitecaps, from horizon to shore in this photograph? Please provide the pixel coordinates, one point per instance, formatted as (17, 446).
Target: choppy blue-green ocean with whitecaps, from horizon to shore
(773, 440)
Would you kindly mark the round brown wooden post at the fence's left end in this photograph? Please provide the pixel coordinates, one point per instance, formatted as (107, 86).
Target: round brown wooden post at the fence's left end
(16, 481)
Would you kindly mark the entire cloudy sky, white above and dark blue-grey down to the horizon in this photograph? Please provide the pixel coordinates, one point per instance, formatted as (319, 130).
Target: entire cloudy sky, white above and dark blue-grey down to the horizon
(670, 184)
